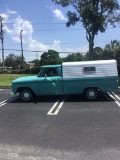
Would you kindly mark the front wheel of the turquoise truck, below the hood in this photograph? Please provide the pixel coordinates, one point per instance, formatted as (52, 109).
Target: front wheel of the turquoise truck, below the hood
(26, 95)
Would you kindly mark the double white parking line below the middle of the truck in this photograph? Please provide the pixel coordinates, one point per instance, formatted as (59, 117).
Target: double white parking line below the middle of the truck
(58, 108)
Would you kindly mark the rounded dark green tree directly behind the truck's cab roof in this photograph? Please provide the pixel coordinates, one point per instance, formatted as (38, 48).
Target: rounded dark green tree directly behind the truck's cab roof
(50, 57)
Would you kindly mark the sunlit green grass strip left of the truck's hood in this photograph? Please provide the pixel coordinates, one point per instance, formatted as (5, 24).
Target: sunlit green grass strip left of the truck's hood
(6, 79)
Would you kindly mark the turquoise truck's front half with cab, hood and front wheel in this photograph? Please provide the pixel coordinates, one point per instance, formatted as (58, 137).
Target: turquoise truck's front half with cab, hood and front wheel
(47, 82)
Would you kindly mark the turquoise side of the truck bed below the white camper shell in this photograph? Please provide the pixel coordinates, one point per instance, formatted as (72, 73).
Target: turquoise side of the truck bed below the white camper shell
(77, 85)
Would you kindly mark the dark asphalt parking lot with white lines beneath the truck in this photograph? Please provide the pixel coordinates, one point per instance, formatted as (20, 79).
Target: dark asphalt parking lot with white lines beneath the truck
(60, 128)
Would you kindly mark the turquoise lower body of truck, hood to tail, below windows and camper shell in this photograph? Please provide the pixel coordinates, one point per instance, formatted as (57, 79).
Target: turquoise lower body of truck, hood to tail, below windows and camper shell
(53, 85)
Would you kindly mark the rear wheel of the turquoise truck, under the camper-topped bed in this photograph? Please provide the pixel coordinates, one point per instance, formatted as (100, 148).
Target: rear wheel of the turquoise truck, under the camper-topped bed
(91, 93)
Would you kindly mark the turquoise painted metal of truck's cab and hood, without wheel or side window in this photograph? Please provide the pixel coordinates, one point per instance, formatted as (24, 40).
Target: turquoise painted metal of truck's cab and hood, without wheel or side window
(39, 84)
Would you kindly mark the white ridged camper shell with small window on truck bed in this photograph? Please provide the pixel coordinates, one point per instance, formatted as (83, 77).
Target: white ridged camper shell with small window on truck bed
(101, 68)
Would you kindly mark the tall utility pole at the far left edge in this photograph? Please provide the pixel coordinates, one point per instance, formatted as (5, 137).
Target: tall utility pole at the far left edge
(1, 37)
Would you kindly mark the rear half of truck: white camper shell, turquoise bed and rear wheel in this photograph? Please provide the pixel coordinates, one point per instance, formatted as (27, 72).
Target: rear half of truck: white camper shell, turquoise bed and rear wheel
(89, 77)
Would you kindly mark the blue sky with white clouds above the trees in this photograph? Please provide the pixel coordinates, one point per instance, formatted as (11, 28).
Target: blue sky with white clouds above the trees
(44, 27)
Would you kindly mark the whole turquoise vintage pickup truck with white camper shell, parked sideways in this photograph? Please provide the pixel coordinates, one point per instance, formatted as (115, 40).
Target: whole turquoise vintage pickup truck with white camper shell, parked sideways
(88, 77)
